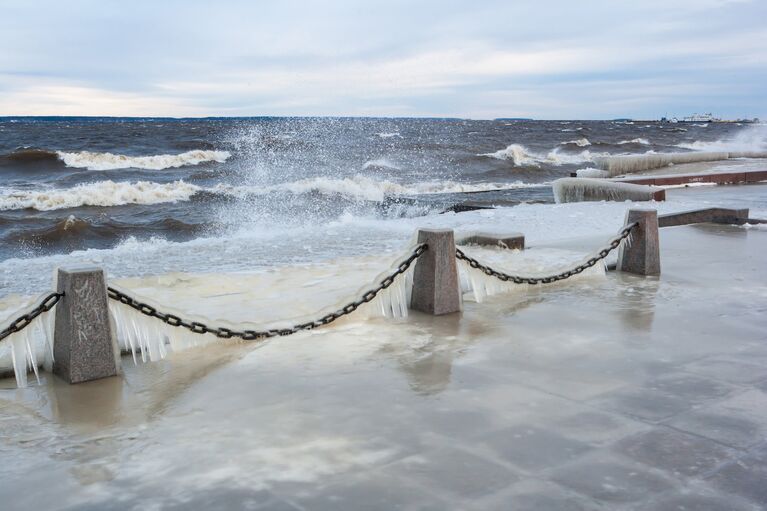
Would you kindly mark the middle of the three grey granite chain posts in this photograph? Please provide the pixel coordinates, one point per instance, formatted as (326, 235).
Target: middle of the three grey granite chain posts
(436, 289)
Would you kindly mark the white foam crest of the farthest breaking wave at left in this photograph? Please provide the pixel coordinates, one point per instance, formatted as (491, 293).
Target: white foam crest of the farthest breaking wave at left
(108, 161)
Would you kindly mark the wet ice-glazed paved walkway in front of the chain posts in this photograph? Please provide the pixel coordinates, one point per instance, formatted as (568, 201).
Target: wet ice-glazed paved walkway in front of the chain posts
(608, 393)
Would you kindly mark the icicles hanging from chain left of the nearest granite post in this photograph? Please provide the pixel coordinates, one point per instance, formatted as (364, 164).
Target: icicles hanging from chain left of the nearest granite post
(32, 347)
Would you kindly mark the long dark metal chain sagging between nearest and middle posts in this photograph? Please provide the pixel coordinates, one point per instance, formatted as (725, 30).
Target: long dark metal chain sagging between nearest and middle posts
(250, 335)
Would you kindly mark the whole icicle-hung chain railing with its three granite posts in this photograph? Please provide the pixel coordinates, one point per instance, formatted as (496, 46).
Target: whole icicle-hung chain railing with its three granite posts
(95, 322)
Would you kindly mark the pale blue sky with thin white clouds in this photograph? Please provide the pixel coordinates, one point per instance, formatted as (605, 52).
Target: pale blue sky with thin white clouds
(545, 59)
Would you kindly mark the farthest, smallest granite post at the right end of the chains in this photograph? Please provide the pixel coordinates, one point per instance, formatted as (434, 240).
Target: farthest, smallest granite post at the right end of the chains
(643, 256)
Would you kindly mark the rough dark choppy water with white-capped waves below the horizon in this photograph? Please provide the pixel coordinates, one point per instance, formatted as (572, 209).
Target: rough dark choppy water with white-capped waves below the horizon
(126, 186)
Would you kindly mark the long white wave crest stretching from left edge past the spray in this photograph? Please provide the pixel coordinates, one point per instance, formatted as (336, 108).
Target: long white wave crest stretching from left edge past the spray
(110, 193)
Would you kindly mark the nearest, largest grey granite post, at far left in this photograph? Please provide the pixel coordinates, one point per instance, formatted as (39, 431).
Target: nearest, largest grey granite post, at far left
(84, 344)
